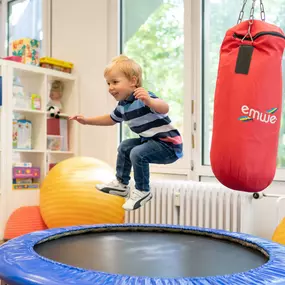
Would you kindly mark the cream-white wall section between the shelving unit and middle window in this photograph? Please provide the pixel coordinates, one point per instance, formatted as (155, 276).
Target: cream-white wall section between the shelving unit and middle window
(81, 34)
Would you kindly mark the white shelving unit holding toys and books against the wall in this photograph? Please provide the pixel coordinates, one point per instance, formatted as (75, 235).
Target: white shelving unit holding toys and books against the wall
(34, 80)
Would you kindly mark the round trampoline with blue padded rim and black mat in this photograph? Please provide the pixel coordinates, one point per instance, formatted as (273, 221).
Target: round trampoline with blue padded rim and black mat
(141, 254)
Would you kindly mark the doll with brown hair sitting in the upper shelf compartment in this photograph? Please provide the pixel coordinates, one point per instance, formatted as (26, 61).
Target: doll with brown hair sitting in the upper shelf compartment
(54, 105)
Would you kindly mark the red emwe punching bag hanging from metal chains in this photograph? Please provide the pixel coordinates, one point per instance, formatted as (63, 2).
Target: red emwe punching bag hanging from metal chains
(248, 105)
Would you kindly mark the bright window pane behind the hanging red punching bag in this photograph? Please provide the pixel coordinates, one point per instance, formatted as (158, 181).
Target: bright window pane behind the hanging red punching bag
(219, 16)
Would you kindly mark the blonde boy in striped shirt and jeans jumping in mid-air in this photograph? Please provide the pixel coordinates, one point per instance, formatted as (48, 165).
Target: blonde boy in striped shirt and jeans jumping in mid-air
(146, 115)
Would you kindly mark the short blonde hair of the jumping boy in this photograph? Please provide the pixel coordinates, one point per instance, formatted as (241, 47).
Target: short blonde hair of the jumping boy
(127, 66)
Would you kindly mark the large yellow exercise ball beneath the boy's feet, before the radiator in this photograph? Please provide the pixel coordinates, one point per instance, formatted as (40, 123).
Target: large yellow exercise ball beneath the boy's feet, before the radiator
(68, 196)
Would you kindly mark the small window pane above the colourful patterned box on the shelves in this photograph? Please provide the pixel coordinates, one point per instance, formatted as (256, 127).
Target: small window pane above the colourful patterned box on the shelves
(24, 20)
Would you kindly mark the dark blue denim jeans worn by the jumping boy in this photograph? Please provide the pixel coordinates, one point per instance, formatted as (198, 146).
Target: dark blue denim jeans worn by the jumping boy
(137, 154)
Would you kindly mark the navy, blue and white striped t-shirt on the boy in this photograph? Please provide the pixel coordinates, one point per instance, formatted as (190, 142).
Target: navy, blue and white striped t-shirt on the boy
(147, 123)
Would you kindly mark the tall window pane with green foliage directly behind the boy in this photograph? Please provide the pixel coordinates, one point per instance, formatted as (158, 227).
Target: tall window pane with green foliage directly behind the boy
(153, 35)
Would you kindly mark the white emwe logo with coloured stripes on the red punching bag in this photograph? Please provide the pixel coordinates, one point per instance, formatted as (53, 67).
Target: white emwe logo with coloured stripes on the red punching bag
(254, 115)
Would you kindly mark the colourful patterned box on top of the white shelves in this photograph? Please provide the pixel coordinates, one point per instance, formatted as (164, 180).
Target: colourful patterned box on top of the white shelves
(27, 49)
